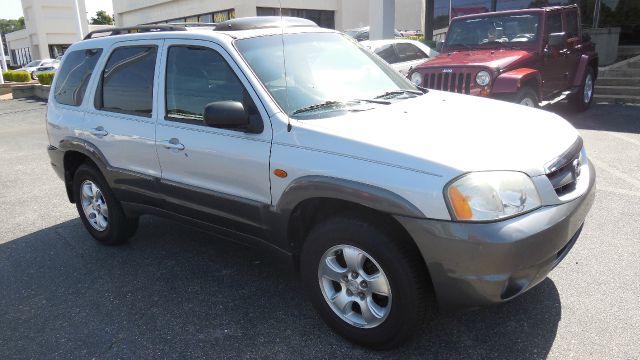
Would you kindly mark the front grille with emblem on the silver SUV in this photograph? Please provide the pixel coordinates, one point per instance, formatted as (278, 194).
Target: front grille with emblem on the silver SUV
(564, 171)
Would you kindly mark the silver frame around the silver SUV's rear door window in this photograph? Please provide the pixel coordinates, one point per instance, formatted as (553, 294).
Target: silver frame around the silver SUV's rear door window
(97, 86)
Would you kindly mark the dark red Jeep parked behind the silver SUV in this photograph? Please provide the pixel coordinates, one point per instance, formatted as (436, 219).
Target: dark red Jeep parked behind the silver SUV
(533, 57)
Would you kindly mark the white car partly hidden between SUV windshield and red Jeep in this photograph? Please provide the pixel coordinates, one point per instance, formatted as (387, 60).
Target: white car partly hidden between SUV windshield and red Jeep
(402, 54)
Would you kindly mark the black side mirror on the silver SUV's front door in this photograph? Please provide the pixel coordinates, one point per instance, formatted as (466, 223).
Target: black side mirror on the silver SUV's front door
(228, 115)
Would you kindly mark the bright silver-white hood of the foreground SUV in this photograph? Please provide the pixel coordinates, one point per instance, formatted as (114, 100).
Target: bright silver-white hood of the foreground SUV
(444, 134)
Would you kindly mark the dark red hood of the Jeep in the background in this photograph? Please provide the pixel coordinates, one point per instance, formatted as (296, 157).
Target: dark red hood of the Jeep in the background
(495, 59)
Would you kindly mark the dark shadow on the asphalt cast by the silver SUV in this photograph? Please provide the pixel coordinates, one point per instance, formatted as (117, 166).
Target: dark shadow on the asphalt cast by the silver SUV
(174, 291)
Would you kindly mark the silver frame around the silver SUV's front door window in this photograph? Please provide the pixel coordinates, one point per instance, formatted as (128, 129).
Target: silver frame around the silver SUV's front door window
(199, 125)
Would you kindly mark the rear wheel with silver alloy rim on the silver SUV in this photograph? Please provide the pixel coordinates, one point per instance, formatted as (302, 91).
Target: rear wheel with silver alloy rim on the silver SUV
(99, 210)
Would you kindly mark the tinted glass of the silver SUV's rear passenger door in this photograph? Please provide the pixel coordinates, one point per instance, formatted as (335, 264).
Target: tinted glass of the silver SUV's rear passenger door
(127, 81)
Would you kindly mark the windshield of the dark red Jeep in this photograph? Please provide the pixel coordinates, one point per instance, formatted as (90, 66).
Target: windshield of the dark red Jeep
(493, 32)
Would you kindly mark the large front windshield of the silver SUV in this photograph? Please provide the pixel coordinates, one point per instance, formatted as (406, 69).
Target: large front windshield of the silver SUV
(317, 75)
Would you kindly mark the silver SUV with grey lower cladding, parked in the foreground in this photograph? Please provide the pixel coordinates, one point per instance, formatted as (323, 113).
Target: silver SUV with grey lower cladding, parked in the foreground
(387, 214)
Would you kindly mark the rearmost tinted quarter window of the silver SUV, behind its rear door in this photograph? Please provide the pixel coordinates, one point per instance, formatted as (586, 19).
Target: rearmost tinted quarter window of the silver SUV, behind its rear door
(73, 76)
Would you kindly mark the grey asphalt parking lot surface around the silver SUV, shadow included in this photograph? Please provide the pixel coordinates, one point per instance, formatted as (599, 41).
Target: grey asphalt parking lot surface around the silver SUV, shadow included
(176, 292)
